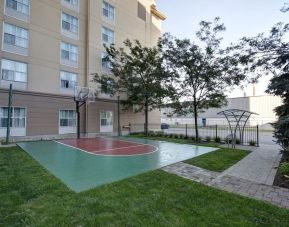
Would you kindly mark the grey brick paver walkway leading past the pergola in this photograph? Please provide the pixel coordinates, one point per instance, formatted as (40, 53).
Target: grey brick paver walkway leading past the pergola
(252, 177)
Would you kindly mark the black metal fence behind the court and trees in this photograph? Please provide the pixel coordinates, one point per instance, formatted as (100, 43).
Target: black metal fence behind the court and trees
(249, 135)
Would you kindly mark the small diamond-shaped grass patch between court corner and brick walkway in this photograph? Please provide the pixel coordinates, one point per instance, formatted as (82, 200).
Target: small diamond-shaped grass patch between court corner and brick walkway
(218, 160)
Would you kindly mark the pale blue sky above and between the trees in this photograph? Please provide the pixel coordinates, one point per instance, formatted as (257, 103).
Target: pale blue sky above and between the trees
(241, 18)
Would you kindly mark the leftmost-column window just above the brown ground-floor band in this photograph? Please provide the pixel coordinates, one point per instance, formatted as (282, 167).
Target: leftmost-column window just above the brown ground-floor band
(14, 71)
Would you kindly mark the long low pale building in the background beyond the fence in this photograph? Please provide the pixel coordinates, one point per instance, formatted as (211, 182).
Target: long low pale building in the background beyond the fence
(263, 106)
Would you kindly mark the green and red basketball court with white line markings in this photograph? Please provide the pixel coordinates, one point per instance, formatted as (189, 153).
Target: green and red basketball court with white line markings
(83, 164)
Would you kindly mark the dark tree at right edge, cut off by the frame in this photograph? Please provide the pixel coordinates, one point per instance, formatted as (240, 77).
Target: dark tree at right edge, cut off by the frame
(270, 55)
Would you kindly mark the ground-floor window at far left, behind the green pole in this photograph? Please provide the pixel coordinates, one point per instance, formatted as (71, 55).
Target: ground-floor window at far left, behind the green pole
(18, 117)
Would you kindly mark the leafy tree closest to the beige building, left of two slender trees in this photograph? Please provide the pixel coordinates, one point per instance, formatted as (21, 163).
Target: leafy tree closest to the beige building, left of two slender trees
(138, 72)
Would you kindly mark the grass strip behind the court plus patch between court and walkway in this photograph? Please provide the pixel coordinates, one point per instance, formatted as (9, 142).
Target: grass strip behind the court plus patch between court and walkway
(218, 160)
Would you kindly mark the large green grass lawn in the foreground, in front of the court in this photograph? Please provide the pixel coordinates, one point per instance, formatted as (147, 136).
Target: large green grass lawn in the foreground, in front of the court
(31, 196)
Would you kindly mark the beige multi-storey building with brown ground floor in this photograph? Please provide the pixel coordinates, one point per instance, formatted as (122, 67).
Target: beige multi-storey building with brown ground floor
(50, 46)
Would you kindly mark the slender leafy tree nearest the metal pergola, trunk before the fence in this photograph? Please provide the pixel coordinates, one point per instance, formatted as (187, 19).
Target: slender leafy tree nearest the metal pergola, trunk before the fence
(203, 72)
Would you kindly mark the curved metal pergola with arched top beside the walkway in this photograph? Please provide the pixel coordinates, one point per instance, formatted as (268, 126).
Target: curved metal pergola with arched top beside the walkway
(237, 120)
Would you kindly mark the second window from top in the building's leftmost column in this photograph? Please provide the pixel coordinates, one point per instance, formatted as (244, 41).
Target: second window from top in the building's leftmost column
(16, 36)
